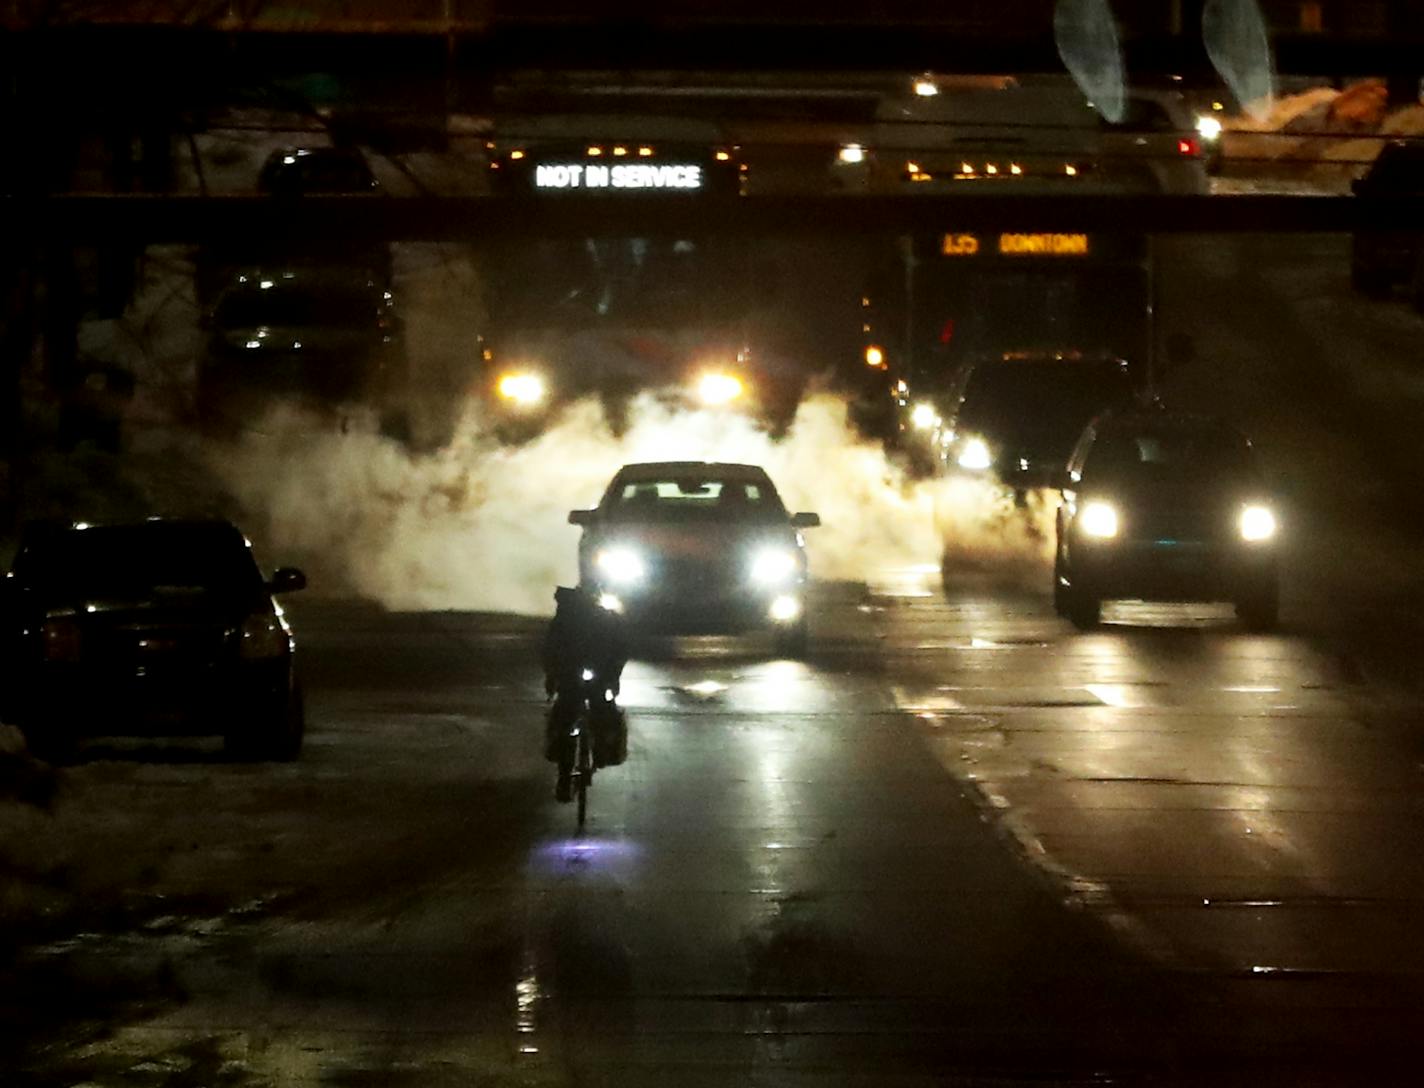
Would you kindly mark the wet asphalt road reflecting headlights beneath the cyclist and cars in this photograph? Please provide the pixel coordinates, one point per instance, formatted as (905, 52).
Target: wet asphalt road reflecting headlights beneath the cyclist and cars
(962, 842)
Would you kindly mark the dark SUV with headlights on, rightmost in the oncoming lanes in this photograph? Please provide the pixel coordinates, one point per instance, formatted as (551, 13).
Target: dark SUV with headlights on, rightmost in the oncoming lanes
(1167, 508)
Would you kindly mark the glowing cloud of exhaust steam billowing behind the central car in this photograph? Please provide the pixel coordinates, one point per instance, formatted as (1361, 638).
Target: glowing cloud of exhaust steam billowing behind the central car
(482, 526)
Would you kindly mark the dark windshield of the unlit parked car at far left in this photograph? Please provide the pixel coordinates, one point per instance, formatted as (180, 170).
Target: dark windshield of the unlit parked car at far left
(120, 562)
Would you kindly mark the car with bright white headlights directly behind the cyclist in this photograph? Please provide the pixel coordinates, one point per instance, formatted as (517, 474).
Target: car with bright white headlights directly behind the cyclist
(698, 548)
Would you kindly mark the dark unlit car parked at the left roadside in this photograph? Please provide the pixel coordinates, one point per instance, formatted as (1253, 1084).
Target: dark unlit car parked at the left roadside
(152, 629)
